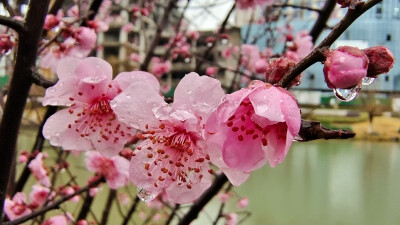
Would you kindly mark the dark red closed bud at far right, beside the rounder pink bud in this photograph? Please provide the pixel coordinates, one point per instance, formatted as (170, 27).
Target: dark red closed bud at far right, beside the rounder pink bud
(381, 60)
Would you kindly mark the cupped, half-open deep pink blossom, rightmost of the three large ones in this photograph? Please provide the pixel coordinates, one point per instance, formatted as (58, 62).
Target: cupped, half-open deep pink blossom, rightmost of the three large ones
(250, 127)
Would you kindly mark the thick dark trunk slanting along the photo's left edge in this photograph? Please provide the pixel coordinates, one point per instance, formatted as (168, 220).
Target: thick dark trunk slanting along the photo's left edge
(20, 85)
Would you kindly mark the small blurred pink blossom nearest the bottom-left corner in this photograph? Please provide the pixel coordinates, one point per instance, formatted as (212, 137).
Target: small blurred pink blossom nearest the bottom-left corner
(17, 207)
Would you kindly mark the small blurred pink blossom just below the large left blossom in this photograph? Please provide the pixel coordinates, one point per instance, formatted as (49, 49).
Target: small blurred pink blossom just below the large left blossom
(114, 169)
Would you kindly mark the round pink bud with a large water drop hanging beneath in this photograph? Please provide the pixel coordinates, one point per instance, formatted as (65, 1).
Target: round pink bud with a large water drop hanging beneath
(345, 67)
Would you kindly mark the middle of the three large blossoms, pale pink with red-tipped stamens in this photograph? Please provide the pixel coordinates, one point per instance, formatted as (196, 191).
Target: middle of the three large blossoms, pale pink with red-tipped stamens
(173, 155)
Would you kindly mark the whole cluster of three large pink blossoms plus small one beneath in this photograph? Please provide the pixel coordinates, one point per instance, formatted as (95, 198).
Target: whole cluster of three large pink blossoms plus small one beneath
(180, 143)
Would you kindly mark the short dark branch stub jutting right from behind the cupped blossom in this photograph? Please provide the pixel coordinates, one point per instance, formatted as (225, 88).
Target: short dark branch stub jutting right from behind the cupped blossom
(312, 130)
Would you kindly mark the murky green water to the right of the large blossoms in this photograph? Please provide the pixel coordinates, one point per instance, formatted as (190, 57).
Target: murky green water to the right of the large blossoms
(328, 182)
